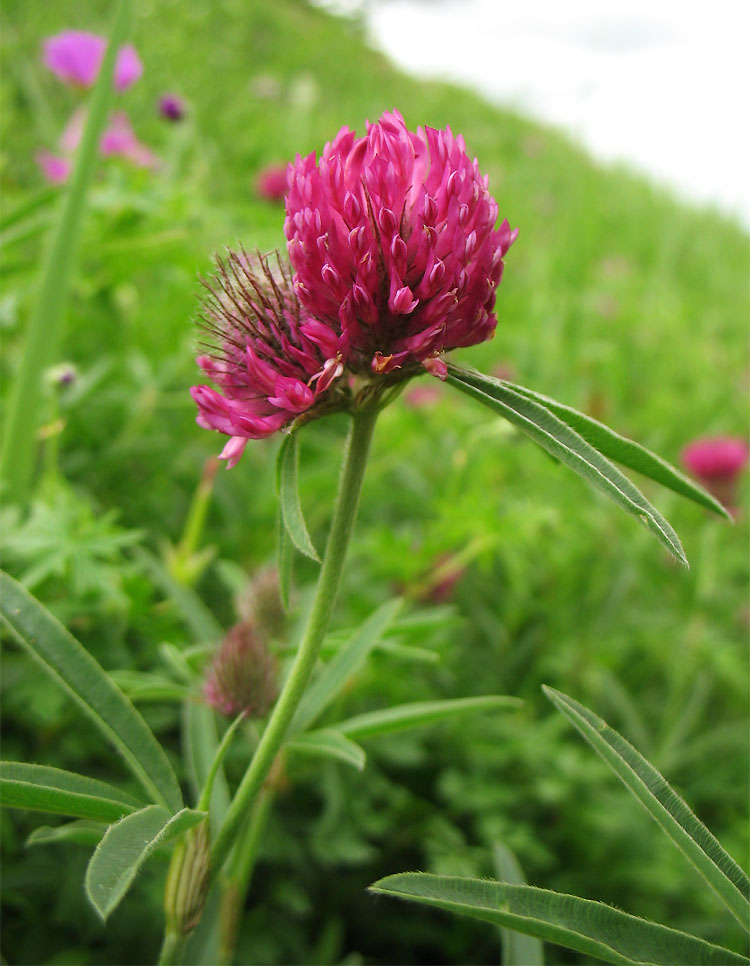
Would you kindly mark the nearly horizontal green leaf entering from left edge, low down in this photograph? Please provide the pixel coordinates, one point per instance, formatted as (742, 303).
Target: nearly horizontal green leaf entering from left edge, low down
(42, 789)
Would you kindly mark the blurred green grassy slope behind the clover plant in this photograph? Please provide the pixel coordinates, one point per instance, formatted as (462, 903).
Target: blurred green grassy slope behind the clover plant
(617, 298)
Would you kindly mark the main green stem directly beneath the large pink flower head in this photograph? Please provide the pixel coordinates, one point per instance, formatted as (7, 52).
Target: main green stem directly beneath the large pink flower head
(345, 511)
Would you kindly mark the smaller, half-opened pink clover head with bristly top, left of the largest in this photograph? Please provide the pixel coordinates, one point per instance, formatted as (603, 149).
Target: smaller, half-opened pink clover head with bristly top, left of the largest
(272, 362)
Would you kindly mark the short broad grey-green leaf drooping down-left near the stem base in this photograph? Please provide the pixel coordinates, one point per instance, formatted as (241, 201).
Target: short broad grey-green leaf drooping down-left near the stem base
(126, 846)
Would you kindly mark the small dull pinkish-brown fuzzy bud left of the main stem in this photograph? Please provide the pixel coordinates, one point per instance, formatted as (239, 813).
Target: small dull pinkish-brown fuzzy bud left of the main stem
(242, 675)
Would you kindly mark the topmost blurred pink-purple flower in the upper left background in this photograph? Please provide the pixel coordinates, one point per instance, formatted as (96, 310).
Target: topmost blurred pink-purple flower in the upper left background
(75, 56)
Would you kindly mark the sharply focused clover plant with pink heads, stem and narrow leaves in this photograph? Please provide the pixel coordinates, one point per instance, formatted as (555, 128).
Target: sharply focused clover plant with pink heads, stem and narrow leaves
(394, 258)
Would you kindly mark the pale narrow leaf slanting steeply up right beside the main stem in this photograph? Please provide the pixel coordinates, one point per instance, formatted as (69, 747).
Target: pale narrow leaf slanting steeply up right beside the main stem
(343, 666)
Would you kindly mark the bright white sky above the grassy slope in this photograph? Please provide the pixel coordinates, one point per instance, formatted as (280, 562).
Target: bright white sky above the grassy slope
(661, 84)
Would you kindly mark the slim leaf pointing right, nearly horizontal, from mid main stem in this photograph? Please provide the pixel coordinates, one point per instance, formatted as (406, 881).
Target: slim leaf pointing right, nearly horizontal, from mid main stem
(420, 713)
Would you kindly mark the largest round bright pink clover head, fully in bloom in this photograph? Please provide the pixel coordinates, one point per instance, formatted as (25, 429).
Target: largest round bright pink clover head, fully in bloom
(392, 238)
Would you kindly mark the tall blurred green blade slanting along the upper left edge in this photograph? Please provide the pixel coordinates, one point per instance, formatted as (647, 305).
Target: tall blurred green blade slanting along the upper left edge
(43, 335)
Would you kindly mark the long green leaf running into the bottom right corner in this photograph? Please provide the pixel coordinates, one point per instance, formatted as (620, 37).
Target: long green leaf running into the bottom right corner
(579, 924)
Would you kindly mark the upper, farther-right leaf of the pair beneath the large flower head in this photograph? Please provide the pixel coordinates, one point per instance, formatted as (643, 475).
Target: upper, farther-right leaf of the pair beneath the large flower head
(611, 444)
